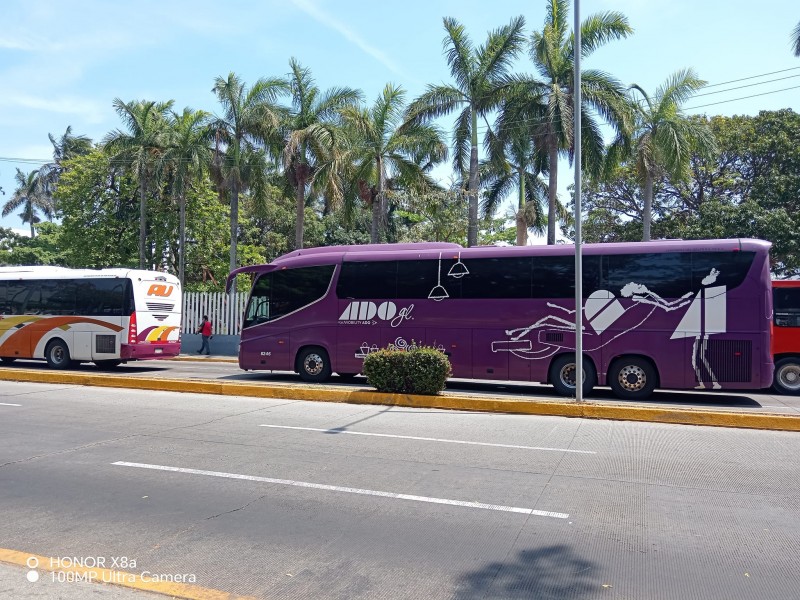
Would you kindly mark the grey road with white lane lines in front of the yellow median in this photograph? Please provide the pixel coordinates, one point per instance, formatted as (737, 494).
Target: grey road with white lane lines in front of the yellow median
(291, 499)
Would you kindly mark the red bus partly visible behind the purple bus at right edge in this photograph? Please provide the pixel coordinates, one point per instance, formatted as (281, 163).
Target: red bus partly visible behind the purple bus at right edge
(786, 336)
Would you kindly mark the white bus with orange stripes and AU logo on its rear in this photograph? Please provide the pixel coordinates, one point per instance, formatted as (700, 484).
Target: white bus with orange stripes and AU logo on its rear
(106, 316)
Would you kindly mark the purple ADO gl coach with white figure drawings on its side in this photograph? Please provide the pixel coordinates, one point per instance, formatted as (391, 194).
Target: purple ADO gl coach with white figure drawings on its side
(667, 314)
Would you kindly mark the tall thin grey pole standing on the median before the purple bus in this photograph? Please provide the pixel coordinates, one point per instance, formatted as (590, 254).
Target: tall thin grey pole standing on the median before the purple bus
(576, 112)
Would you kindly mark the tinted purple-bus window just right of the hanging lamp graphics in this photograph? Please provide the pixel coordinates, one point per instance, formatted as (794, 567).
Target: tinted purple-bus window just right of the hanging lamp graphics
(496, 278)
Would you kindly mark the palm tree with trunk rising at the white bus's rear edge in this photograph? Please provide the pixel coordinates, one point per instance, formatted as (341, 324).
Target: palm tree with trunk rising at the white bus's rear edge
(187, 156)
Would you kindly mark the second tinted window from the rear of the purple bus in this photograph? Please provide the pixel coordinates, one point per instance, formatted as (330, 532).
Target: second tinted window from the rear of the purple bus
(666, 274)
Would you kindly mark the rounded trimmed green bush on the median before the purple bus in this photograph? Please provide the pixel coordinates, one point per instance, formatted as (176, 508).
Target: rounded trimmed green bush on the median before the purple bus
(414, 370)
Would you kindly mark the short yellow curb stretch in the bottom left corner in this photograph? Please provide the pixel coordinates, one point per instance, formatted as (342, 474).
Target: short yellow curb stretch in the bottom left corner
(126, 579)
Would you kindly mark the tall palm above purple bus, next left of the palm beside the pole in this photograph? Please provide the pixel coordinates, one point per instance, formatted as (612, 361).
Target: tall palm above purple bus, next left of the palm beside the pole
(481, 79)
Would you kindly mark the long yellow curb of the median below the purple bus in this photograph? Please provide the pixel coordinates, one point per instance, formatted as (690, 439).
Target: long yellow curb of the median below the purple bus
(321, 393)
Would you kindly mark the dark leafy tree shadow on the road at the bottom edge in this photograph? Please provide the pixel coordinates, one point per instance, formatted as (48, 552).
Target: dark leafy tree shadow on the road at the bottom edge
(552, 572)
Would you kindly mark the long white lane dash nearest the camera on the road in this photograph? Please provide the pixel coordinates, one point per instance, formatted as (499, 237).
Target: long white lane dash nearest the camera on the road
(336, 488)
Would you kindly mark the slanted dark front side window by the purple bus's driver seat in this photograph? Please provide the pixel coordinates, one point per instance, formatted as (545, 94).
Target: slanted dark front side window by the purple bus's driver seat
(281, 292)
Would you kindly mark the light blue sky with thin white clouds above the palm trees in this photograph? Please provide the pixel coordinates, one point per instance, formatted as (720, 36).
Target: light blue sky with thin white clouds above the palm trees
(63, 63)
